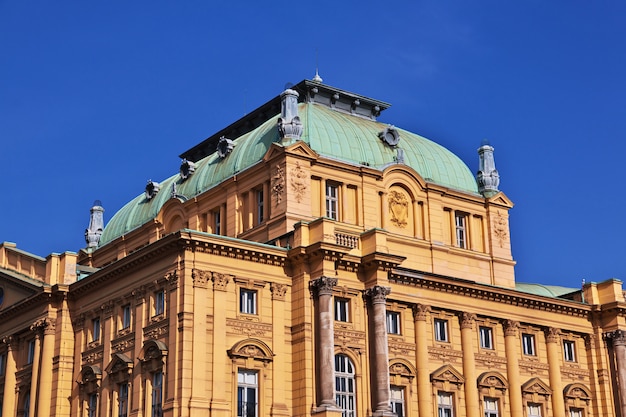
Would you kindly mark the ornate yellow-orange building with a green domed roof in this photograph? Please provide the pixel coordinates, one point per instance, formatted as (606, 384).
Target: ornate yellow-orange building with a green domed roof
(306, 260)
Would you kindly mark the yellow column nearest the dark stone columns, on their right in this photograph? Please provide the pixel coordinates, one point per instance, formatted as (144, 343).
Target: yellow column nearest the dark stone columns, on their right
(420, 315)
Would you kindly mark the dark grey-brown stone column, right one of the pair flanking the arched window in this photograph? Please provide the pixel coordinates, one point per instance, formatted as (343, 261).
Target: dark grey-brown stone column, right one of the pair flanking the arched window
(377, 297)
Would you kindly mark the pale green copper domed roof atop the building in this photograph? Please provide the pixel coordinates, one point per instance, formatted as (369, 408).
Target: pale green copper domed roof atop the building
(331, 133)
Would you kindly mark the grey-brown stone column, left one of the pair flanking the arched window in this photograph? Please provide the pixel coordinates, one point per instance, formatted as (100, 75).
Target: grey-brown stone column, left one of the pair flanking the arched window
(322, 289)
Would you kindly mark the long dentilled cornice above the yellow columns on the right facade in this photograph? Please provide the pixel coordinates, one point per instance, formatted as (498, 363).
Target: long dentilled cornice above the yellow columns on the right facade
(488, 293)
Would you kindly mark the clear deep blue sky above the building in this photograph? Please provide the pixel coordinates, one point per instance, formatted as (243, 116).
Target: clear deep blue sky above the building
(98, 97)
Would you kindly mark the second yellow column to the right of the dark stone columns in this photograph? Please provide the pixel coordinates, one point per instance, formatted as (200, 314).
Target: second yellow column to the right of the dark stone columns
(469, 364)
